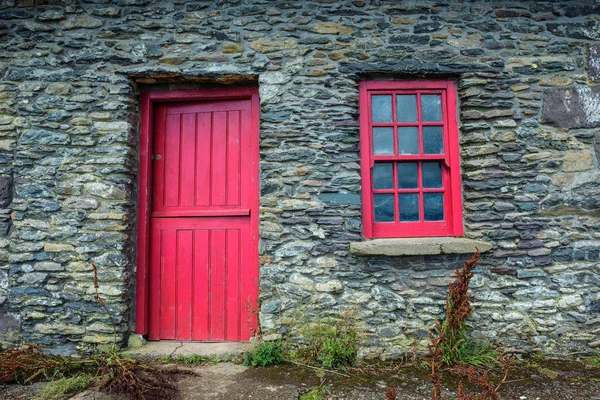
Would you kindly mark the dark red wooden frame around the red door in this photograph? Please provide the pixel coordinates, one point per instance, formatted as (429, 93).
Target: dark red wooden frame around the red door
(148, 101)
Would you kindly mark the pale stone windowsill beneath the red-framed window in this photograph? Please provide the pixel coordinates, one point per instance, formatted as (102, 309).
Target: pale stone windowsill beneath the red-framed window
(418, 246)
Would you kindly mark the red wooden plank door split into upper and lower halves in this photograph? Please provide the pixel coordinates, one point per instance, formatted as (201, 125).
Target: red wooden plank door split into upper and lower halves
(202, 201)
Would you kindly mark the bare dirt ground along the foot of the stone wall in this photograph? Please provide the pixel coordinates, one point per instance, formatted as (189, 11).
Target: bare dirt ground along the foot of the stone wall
(538, 379)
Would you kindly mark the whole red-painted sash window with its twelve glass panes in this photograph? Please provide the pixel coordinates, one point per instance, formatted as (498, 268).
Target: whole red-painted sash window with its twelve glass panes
(410, 159)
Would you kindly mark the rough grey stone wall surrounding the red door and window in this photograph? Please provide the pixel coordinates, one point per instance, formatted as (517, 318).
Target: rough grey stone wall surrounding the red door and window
(70, 72)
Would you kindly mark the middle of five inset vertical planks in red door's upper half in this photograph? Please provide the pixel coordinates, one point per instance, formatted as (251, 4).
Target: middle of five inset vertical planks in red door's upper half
(203, 153)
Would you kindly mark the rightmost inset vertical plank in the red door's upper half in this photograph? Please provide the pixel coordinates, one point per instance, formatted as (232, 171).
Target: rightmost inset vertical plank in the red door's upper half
(233, 159)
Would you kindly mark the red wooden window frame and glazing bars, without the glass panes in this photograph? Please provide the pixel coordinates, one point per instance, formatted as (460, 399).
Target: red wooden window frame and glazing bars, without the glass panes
(451, 225)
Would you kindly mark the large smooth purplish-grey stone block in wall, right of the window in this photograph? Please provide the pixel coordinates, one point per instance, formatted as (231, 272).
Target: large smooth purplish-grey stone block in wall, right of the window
(572, 108)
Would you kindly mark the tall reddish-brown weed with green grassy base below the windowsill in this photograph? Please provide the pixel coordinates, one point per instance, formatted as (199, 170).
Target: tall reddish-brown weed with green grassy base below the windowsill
(451, 346)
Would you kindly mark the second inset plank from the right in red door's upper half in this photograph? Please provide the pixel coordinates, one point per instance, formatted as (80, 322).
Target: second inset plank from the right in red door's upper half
(219, 158)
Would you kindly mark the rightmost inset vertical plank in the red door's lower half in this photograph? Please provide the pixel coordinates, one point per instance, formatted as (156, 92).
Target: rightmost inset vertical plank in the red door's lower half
(232, 300)
